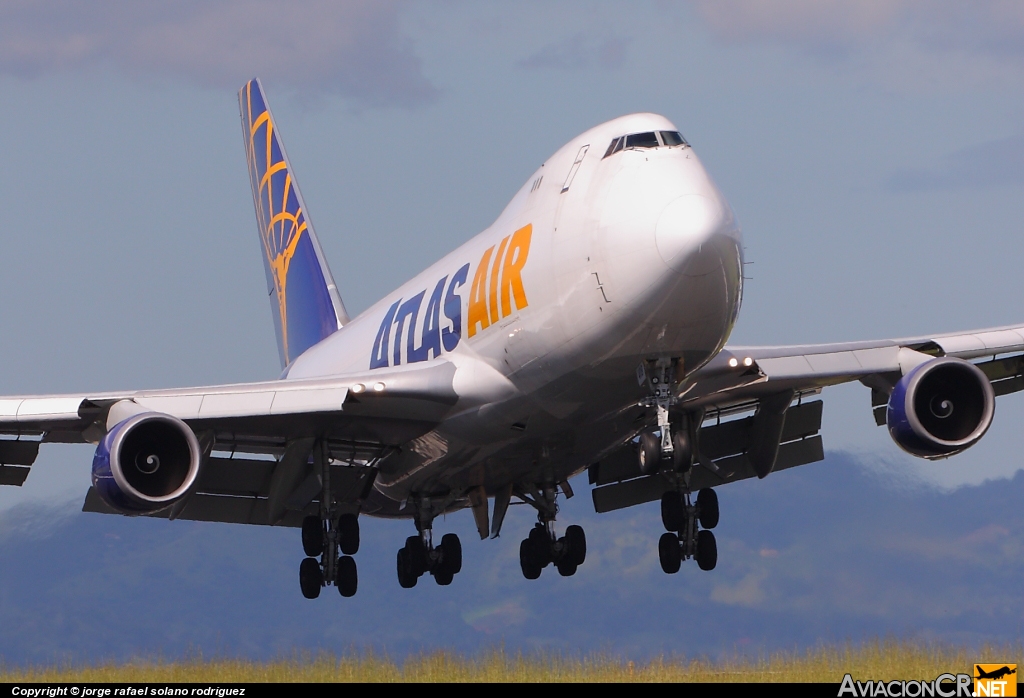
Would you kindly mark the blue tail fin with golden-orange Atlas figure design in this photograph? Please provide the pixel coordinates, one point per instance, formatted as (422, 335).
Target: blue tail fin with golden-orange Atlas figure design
(306, 301)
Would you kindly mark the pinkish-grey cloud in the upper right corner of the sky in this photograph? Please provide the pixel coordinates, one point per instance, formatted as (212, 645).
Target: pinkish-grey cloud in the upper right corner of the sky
(914, 45)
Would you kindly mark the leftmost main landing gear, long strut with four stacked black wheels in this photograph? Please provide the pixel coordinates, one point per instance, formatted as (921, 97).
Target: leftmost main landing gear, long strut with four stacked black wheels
(333, 537)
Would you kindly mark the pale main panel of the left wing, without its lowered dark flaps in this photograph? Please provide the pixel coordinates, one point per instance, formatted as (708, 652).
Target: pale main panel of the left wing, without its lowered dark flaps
(386, 405)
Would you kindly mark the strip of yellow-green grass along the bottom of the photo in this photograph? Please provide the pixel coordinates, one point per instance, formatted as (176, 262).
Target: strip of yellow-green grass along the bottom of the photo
(884, 660)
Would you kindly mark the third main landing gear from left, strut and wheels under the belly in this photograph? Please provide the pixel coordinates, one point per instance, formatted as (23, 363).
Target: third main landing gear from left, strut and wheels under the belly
(543, 547)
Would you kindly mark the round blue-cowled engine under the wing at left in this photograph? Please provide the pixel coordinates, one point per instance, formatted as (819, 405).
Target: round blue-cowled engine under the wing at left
(146, 463)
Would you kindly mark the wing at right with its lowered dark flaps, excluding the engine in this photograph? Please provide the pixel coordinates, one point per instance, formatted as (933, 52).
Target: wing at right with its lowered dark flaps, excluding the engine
(781, 380)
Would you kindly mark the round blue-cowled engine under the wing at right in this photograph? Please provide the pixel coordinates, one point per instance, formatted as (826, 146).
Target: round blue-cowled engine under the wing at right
(941, 409)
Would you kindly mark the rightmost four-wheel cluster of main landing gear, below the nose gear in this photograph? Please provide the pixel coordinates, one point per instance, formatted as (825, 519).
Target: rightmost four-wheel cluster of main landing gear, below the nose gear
(686, 540)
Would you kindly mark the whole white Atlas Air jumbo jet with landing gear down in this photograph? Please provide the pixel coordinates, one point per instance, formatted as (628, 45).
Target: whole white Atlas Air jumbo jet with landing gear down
(586, 330)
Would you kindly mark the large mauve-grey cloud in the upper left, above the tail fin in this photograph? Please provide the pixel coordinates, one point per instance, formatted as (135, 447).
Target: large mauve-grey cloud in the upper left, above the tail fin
(354, 49)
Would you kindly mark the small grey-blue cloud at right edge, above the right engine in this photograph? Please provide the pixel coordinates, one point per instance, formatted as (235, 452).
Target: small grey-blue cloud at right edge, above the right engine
(996, 163)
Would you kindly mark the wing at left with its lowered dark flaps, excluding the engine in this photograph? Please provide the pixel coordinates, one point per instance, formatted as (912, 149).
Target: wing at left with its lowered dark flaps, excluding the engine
(361, 416)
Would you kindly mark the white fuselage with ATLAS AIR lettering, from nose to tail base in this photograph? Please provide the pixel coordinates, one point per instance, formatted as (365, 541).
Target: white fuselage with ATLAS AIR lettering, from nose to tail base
(595, 267)
